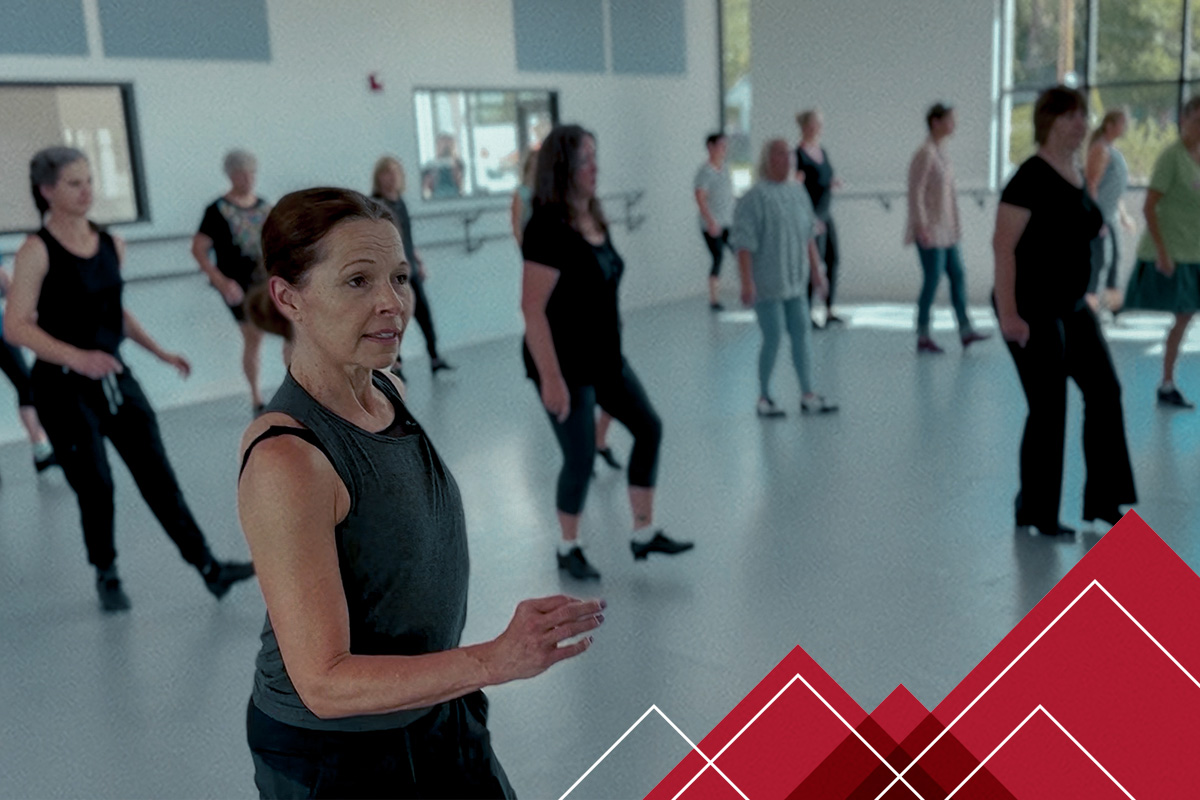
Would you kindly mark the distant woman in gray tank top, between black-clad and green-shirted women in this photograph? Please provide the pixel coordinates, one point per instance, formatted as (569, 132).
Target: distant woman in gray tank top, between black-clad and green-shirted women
(1108, 177)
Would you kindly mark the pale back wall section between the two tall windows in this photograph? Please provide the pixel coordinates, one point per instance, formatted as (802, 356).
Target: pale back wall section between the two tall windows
(874, 69)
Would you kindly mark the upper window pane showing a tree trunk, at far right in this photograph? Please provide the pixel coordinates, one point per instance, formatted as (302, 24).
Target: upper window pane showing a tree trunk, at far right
(1049, 41)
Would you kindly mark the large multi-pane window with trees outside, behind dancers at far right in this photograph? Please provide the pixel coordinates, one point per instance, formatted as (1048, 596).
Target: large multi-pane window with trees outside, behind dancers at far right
(1133, 55)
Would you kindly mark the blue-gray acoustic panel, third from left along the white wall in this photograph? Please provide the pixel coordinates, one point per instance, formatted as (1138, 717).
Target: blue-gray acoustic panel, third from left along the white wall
(559, 35)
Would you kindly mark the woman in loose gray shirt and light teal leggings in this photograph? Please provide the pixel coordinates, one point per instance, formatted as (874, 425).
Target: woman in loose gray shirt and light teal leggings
(775, 230)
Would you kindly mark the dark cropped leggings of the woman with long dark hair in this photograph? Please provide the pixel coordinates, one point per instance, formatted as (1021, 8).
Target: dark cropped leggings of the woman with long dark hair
(626, 401)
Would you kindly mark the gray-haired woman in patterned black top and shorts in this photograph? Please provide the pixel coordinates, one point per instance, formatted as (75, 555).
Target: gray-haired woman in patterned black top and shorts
(231, 231)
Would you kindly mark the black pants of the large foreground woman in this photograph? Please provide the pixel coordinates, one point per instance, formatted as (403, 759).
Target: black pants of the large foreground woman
(447, 754)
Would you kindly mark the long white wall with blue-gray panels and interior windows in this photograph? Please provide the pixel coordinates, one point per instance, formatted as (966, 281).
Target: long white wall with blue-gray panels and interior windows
(310, 118)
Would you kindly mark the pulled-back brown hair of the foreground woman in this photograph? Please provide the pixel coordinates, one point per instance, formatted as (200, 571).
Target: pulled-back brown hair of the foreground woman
(292, 238)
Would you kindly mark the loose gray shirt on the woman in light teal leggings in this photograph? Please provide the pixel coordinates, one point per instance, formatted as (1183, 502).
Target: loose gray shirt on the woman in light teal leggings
(775, 222)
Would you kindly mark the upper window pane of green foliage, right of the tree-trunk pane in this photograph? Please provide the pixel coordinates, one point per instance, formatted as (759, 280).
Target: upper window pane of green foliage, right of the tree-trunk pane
(1138, 40)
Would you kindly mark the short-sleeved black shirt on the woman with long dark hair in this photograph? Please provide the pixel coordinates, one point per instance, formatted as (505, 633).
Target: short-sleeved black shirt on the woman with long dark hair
(584, 314)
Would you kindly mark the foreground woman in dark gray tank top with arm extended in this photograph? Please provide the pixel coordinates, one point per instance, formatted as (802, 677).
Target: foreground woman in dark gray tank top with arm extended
(362, 688)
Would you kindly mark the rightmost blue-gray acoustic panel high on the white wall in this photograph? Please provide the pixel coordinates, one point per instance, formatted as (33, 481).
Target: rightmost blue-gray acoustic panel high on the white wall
(649, 38)
